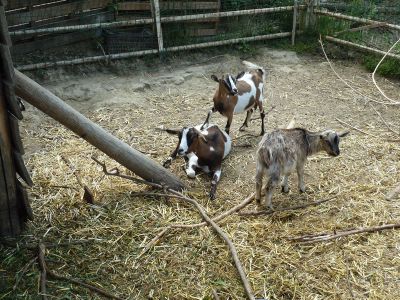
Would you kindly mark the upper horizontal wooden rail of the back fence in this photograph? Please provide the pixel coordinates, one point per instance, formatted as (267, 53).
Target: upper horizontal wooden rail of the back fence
(170, 19)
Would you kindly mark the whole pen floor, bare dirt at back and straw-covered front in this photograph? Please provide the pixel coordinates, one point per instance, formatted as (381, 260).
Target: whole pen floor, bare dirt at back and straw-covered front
(131, 99)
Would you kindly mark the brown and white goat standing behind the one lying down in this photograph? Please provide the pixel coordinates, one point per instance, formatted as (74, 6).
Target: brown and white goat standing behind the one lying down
(243, 93)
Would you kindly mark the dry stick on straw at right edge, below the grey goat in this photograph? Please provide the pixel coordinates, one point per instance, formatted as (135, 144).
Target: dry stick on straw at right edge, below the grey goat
(322, 237)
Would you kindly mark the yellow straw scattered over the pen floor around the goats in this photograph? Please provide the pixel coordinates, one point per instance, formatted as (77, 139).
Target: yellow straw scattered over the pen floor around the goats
(188, 264)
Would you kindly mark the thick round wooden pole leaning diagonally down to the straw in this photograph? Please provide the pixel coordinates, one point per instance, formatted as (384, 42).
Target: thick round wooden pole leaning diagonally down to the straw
(138, 163)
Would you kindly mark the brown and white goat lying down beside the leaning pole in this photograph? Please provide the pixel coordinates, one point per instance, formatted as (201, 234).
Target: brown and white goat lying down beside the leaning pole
(202, 149)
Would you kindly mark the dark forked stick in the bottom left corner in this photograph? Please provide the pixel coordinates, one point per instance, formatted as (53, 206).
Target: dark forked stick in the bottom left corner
(45, 271)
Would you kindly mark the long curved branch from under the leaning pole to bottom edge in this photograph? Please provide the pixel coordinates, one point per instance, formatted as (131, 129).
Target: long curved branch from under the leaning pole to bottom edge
(201, 210)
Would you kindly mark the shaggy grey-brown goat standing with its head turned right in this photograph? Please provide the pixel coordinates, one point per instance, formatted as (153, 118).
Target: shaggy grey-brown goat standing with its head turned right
(285, 150)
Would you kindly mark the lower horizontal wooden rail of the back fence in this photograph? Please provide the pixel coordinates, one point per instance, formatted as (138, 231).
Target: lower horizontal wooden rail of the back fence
(154, 51)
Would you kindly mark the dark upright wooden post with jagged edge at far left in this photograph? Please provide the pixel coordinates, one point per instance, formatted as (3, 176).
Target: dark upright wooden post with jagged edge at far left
(14, 204)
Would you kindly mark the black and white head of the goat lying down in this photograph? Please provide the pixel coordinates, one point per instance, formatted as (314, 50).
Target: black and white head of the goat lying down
(188, 139)
